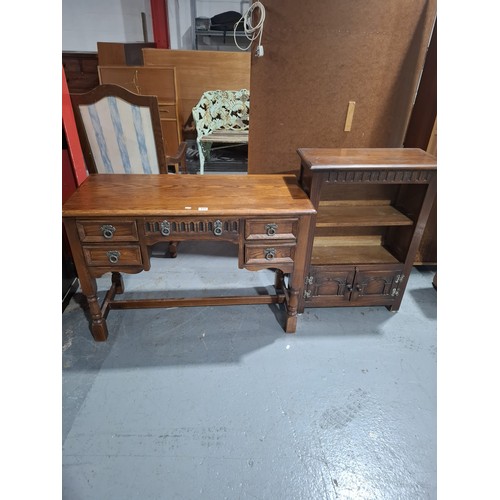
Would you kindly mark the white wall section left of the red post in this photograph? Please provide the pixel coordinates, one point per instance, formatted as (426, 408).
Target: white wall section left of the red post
(86, 22)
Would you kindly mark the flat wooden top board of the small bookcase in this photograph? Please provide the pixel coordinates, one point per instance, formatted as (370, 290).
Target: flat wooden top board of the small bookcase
(366, 158)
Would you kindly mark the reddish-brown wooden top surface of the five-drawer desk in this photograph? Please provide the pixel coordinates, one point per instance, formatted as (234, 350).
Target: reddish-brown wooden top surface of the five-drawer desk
(178, 195)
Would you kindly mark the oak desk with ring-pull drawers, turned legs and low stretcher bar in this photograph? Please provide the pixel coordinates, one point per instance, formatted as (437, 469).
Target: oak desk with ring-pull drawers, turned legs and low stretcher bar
(112, 222)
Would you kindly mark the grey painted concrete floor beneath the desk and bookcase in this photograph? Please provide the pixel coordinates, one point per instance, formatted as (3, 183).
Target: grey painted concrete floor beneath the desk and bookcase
(219, 403)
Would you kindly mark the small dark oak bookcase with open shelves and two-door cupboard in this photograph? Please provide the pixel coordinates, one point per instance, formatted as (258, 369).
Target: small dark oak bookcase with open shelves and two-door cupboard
(372, 206)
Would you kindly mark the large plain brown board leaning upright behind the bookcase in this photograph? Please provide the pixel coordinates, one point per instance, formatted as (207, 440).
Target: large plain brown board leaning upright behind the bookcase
(322, 56)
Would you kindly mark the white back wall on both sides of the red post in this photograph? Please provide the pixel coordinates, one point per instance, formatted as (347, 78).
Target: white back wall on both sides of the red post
(86, 22)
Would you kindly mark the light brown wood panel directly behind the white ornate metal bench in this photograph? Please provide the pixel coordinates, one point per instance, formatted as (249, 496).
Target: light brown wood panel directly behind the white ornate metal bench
(199, 71)
